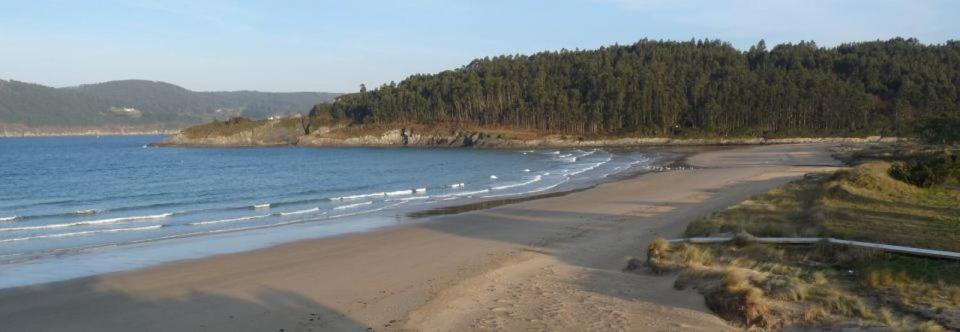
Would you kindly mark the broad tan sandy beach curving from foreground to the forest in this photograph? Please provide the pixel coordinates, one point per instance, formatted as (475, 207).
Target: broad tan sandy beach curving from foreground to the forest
(550, 264)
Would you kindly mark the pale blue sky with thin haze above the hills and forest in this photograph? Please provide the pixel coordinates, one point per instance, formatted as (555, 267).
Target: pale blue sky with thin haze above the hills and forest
(334, 46)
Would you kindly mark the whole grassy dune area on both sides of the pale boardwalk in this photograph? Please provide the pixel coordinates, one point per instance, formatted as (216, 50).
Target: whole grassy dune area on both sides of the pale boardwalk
(765, 286)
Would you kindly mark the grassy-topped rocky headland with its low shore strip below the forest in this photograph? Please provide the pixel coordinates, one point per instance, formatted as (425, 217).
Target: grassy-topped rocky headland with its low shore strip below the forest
(294, 132)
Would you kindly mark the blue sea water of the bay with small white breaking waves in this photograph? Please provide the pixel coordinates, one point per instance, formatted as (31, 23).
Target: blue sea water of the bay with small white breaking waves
(68, 204)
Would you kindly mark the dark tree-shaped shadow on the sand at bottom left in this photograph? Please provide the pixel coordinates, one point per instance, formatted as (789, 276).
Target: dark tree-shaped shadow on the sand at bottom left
(115, 310)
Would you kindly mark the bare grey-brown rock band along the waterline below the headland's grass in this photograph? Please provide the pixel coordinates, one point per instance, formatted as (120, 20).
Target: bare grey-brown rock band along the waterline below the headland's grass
(270, 136)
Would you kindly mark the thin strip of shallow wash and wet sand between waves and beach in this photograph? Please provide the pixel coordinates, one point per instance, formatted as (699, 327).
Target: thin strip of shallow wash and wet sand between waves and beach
(371, 221)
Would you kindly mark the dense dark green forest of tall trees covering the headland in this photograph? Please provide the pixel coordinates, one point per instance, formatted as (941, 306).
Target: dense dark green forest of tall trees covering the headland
(695, 88)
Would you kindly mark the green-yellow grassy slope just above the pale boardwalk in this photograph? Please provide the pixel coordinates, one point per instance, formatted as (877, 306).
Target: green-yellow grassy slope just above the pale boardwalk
(863, 203)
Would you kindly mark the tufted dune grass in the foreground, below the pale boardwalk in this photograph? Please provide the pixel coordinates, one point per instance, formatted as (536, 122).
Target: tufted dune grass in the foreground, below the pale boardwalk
(772, 287)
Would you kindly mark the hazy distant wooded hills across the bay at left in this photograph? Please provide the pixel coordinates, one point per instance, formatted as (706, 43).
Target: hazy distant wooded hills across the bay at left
(138, 104)
